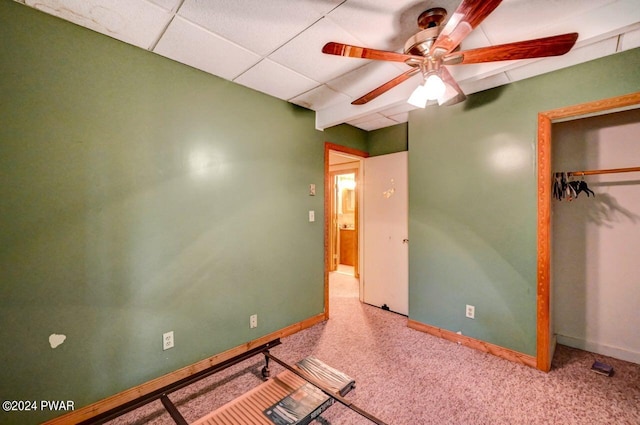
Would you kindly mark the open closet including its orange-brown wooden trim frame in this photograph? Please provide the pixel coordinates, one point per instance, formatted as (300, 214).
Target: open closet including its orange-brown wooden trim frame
(575, 233)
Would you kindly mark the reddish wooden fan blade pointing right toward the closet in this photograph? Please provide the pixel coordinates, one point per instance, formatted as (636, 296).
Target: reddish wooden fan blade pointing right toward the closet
(538, 48)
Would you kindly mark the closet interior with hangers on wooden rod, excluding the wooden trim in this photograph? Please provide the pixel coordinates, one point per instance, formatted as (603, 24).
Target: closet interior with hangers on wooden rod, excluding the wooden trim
(595, 234)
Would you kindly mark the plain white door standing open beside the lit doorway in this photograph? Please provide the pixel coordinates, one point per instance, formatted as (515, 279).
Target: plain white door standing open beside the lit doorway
(385, 225)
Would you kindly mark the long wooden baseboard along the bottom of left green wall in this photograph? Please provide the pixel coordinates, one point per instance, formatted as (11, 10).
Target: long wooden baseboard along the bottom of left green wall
(109, 403)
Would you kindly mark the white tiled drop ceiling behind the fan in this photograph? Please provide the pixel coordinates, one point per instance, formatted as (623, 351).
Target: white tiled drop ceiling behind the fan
(274, 46)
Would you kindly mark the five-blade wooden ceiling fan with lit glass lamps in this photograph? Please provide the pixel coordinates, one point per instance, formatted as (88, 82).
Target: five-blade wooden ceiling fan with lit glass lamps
(436, 46)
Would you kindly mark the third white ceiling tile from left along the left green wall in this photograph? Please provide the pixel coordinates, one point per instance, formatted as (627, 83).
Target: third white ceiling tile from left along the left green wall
(275, 80)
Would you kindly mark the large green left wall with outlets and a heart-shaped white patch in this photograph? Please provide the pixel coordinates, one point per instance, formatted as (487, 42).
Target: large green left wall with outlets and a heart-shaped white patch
(140, 196)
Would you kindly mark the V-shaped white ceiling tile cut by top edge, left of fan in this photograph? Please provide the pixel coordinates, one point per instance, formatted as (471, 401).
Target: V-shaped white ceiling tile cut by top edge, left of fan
(260, 26)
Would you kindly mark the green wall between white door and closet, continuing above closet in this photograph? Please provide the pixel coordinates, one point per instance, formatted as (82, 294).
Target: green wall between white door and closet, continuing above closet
(472, 192)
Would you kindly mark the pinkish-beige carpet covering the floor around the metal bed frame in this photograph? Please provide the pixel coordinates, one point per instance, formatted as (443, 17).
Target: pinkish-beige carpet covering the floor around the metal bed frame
(407, 377)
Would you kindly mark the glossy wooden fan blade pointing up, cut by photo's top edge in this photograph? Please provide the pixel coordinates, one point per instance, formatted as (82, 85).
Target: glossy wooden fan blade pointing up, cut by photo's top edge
(467, 16)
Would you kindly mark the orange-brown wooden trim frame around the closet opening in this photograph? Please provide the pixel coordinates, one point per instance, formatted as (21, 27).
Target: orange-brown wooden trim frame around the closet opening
(545, 338)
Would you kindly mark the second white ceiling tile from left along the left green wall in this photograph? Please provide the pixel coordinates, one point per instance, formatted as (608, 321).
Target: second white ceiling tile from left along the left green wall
(194, 46)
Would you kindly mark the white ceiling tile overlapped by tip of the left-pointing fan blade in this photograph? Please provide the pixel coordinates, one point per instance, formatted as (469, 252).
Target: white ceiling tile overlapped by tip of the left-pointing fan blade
(304, 53)
